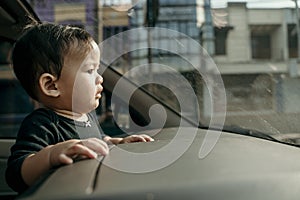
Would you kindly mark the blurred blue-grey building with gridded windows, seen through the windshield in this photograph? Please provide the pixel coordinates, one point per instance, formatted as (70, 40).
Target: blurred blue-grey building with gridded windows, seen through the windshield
(175, 15)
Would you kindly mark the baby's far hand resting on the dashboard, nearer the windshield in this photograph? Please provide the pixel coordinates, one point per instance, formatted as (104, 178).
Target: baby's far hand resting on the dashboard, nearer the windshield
(129, 139)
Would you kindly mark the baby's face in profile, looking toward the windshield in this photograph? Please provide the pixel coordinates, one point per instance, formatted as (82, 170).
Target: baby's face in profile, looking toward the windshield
(80, 82)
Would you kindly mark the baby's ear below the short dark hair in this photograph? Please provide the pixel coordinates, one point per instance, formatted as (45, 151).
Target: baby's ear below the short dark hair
(48, 85)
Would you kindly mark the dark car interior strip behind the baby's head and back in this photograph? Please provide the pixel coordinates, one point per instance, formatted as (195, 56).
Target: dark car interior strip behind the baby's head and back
(13, 16)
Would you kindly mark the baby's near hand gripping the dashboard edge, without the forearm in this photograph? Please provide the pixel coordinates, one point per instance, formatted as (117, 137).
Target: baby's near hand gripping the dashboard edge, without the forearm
(65, 152)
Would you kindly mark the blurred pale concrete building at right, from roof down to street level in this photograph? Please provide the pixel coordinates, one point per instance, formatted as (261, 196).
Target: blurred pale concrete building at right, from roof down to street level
(258, 46)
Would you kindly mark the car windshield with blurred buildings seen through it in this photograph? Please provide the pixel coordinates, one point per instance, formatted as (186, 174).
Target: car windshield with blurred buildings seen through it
(234, 62)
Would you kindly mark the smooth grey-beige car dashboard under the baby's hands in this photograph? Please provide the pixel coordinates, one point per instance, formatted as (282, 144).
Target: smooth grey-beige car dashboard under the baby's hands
(238, 167)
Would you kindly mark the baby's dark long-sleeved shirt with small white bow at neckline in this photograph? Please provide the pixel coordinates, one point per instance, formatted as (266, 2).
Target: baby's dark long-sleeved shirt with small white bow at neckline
(41, 128)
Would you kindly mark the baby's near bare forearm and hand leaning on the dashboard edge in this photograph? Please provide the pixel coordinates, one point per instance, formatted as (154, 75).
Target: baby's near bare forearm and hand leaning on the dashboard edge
(39, 163)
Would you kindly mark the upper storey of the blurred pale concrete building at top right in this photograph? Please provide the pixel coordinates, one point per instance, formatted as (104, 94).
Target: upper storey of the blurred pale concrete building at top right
(253, 35)
